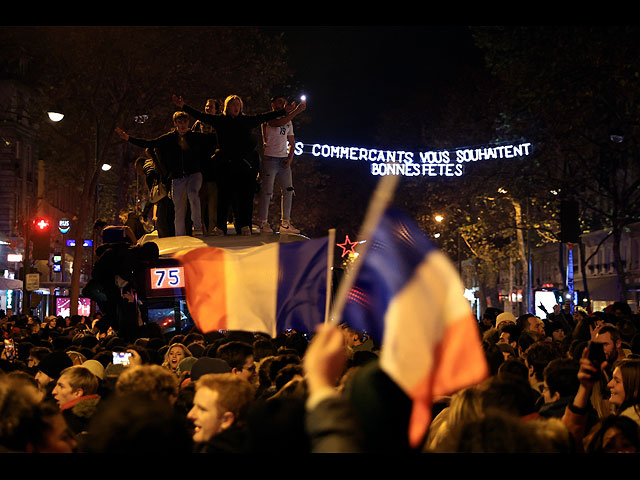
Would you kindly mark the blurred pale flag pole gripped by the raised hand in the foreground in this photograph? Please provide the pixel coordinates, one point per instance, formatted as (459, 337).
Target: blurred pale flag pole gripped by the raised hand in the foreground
(380, 200)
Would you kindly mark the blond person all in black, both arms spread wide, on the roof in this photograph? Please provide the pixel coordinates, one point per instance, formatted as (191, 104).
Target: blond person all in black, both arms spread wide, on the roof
(237, 162)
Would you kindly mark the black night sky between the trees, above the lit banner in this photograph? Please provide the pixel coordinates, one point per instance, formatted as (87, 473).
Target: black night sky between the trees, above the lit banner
(350, 74)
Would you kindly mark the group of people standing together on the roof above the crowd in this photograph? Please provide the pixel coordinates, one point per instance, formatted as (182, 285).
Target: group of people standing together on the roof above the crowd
(202, 175)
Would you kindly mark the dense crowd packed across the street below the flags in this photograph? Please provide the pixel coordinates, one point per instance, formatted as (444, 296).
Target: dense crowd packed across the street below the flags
(566, 383)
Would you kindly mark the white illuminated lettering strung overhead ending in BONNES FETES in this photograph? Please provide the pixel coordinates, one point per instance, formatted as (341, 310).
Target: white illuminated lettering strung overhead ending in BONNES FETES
(438, 163)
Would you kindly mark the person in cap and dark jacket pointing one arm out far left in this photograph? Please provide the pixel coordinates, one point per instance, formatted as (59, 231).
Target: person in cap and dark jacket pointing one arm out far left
(182, 153)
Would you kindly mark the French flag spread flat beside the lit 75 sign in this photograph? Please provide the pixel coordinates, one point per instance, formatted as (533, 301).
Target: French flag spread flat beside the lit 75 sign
(268, 288)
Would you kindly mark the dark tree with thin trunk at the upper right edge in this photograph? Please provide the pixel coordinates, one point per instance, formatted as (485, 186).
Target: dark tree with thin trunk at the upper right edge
(572, 88)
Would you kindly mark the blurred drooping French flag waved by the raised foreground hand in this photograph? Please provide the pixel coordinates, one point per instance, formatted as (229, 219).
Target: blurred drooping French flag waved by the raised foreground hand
(408, 295)
